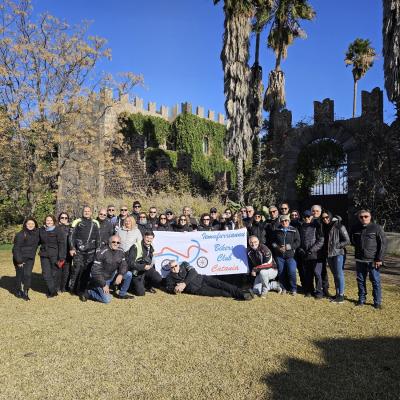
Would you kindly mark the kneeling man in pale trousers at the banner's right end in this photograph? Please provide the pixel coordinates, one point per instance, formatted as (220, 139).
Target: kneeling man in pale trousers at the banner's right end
(263, 268)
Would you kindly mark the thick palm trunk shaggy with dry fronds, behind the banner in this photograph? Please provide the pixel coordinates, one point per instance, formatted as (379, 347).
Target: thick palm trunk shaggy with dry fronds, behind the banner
(235, 57)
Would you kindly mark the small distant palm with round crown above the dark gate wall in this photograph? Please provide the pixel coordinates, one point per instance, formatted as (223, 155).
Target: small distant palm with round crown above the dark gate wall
(361, 55)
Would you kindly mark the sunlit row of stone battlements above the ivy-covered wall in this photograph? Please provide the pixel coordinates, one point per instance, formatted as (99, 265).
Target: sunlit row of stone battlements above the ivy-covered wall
(122, 103)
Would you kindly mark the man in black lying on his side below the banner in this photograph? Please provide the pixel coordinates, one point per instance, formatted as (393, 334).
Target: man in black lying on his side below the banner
(184, 278)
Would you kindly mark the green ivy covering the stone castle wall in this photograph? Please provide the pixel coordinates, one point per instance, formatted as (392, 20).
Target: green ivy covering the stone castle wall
(179, 146)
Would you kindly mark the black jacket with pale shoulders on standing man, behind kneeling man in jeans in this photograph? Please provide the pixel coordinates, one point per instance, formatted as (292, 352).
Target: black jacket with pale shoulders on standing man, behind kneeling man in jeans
(79, 238)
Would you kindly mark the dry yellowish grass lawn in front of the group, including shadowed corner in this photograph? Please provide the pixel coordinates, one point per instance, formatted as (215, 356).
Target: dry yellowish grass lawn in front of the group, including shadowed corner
(187, 347)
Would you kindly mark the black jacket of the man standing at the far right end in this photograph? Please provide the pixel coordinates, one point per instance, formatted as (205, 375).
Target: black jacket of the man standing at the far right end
(369, 242)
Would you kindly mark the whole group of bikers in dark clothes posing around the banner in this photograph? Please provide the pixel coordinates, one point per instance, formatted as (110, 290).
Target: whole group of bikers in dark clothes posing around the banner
(114, 254)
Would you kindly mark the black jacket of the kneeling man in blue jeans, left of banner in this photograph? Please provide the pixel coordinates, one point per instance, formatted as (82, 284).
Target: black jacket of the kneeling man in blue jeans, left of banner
(107, 261)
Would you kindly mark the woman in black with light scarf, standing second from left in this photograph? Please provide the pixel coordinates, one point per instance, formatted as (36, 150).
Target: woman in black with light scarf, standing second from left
(52, 254)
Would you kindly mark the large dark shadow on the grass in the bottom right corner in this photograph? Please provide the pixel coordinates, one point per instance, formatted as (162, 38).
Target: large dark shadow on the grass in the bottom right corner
(352, 369)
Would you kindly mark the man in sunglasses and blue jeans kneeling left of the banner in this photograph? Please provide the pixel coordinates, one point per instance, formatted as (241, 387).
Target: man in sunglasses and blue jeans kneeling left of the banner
(109, 265)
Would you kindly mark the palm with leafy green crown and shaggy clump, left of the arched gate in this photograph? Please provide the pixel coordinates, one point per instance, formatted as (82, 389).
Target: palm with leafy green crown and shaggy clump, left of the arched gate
(285, 28)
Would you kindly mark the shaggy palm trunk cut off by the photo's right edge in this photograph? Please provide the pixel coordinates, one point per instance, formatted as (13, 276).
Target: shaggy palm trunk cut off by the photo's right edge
(391, 50)
